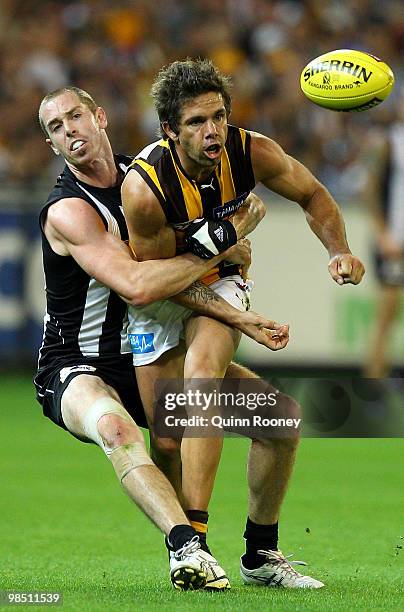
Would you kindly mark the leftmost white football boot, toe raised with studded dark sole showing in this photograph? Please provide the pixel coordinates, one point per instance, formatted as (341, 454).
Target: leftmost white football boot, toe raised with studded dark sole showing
(186, 570)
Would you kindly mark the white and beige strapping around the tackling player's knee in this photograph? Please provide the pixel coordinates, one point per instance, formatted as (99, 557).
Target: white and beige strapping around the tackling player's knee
(124, 458)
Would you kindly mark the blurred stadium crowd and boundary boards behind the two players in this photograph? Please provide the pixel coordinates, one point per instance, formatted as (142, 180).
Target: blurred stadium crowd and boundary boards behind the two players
(114, 51)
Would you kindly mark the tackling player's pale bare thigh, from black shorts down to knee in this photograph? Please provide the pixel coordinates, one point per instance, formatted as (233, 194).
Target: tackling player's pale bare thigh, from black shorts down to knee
(81, 393)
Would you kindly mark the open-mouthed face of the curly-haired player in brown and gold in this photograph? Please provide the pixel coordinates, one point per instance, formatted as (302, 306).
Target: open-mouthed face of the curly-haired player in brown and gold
(202, 132)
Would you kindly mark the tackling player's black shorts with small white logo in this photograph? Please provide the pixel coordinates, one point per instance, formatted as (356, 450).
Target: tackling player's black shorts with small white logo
(52, 384)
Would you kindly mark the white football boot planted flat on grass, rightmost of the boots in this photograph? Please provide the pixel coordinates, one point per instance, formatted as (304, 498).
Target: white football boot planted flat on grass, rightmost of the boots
(277, 571)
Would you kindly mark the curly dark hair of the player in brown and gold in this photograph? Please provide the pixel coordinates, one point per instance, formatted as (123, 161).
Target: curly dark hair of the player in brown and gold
(180, 82)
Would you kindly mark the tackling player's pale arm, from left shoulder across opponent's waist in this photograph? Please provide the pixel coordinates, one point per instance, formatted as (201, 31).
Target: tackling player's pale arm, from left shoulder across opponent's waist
(73, 228)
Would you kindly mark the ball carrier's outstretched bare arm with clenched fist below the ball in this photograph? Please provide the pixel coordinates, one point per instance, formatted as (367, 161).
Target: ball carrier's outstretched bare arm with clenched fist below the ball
(286, 176)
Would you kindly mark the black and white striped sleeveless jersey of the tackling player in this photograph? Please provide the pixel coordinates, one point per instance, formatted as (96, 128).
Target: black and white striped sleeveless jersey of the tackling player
(85, 321)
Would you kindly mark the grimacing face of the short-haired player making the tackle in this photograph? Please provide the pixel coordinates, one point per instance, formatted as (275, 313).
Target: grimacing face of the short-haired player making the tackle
(74, 131)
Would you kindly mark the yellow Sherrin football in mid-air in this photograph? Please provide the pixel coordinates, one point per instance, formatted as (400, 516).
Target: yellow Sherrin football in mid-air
(347, 80)
